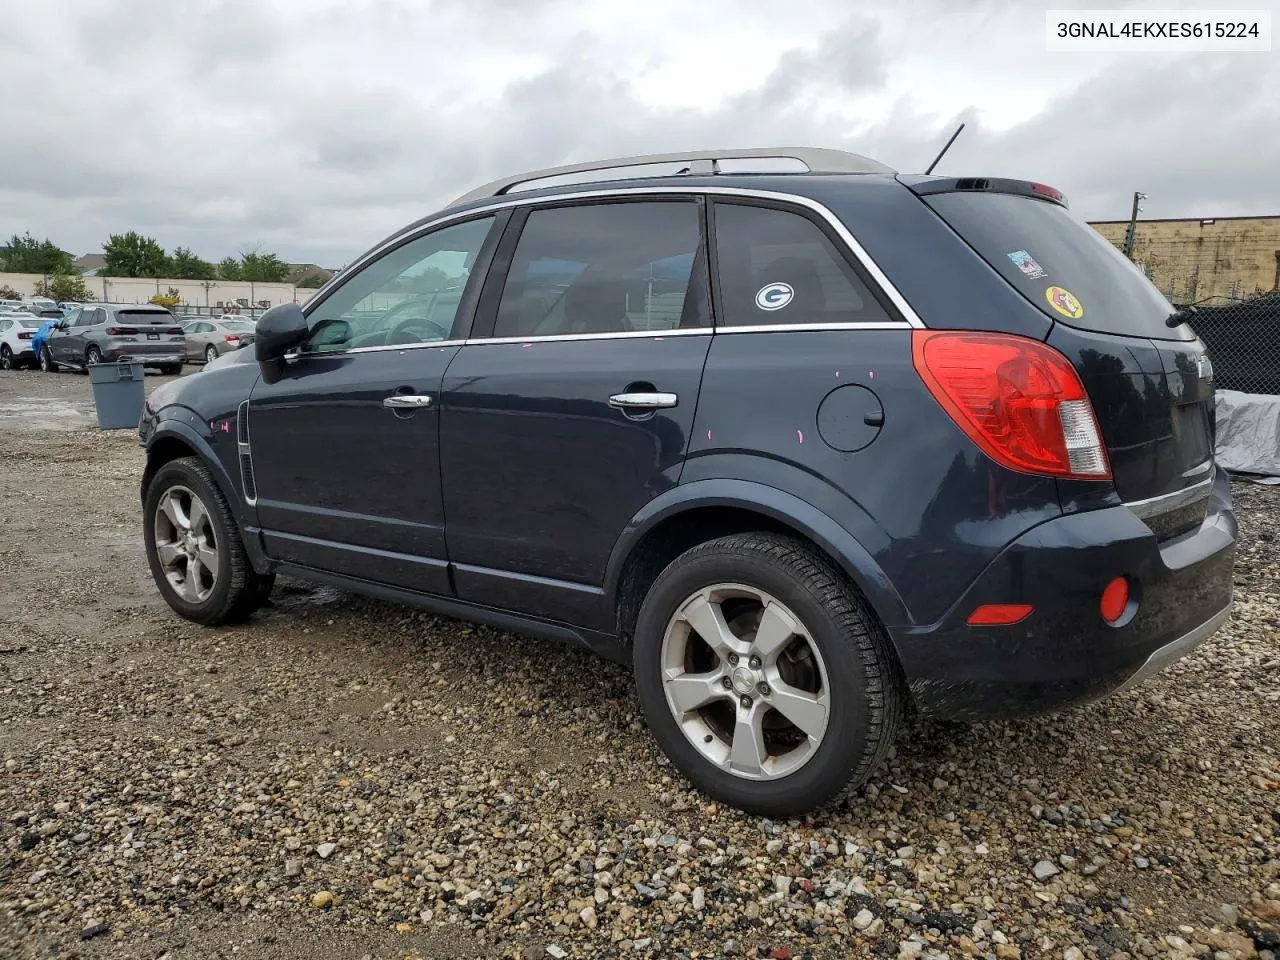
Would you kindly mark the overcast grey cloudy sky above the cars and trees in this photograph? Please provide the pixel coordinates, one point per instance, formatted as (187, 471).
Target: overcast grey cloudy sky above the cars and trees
(314, 129)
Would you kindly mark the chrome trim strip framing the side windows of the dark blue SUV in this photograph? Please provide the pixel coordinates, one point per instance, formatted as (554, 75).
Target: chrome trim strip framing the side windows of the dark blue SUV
(877, 276)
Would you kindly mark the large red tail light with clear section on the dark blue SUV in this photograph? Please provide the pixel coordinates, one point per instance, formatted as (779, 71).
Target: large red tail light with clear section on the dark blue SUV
(1020, 400)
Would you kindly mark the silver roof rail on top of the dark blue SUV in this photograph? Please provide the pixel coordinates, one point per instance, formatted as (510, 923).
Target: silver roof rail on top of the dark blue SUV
(815, 161)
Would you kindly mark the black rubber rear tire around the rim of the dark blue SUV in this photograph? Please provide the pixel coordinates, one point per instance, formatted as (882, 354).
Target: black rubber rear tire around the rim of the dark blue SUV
(847, 740)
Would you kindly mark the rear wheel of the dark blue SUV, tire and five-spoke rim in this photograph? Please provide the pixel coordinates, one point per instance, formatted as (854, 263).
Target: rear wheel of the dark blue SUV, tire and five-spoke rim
(764, 675)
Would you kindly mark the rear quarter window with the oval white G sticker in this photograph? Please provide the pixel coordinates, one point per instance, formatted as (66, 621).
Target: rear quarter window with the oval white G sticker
(778, 267)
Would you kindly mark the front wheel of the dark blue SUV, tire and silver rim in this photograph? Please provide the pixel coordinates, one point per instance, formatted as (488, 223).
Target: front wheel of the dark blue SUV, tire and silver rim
(195, 550)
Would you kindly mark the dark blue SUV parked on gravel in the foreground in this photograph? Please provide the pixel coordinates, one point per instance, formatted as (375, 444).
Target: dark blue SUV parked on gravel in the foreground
(807, 442)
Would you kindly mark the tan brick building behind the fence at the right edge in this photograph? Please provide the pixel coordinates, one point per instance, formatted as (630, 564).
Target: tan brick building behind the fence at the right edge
(1215, 259)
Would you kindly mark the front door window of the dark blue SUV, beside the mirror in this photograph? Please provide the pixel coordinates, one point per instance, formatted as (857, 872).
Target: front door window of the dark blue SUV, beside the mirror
(408, 296)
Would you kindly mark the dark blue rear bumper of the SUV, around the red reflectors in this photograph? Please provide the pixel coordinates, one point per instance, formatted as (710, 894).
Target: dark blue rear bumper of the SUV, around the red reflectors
(1064, 653)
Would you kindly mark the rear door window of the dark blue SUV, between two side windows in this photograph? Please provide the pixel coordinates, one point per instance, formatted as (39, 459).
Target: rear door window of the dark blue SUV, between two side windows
(606, 268)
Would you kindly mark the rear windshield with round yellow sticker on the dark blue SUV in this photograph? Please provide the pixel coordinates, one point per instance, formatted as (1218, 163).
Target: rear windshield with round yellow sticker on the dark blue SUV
(1060, 264)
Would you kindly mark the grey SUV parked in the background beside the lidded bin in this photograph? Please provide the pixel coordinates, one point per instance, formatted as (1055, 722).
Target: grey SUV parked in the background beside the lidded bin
(98, 333)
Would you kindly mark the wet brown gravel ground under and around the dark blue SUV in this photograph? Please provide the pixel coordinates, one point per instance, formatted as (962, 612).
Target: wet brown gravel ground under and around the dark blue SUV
(349, 779)
